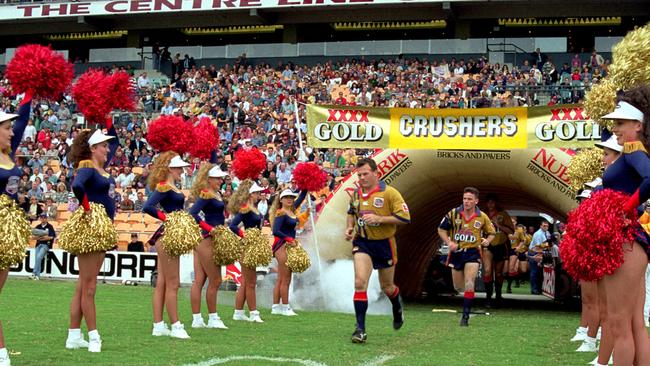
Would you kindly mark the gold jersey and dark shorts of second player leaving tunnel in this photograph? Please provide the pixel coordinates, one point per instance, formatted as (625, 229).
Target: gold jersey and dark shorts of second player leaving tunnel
(467, 232)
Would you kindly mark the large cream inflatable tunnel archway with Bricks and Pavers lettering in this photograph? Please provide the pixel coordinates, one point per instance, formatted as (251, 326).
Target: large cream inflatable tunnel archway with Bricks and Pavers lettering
(431, 182)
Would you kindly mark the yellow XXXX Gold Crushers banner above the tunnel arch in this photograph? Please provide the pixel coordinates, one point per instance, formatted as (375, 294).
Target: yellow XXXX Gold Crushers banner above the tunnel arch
(338, 126)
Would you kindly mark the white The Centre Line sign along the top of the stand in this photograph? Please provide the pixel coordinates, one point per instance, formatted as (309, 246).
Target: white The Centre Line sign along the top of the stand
(126, 7)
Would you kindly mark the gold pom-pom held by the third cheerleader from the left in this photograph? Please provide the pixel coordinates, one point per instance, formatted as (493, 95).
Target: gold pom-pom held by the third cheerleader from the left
(182, 234)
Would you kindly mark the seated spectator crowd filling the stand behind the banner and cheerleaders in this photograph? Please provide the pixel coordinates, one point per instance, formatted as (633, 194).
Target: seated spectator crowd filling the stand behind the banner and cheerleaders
(253, 104)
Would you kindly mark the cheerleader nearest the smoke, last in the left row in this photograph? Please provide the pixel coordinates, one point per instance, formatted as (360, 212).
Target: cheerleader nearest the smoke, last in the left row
(283, 220)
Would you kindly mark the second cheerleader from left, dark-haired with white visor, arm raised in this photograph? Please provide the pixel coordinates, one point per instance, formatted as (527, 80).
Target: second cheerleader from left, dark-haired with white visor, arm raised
(90, 154)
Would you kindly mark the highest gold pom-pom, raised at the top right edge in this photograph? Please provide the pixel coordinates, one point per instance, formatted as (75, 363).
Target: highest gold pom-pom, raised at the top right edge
(631, 59)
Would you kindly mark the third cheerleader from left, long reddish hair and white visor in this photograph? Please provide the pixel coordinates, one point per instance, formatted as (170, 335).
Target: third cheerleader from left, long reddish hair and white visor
(166, 171)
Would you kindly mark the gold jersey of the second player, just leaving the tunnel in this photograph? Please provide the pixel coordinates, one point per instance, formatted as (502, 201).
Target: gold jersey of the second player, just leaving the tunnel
(467, 231)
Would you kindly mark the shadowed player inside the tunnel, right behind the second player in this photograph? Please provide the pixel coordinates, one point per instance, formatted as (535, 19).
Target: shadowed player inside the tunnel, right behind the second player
(496, 254)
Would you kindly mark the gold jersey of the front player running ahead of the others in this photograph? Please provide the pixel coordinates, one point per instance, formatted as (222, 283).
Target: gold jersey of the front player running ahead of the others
(382, 201)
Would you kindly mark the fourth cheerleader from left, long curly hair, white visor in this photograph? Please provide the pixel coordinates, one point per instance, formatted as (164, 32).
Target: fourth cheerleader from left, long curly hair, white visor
(209, 201)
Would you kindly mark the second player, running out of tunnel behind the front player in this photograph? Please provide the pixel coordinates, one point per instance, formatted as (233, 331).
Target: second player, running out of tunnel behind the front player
(462, 230)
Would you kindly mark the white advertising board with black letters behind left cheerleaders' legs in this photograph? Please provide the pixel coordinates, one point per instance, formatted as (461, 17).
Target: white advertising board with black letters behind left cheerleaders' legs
(117, 266)
